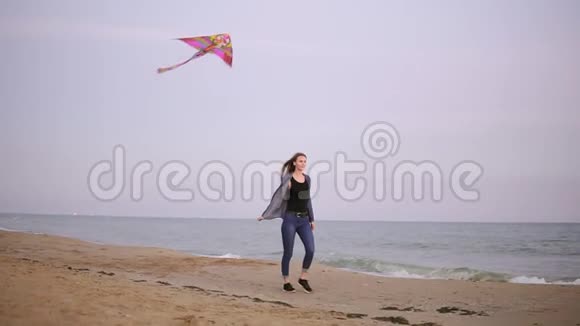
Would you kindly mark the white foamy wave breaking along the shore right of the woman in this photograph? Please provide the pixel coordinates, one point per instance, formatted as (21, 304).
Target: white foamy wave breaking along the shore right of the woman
(397, 270)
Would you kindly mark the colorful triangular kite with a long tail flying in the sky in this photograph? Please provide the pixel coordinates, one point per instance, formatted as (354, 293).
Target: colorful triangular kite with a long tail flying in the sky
(219, 44)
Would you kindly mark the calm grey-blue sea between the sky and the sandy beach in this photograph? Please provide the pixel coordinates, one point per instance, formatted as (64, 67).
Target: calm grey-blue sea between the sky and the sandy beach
(539, 253)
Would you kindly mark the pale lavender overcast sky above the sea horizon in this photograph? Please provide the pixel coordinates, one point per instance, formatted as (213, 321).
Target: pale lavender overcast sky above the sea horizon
(492, 82)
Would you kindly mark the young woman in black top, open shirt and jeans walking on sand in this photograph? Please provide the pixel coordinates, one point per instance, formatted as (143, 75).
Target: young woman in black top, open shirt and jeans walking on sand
(292, 203)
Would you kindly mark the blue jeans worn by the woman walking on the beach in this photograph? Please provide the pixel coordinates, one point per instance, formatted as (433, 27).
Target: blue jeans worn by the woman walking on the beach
(290, 227)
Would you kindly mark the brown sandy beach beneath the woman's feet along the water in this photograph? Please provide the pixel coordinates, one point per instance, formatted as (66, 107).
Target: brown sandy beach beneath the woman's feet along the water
(50, 280)
